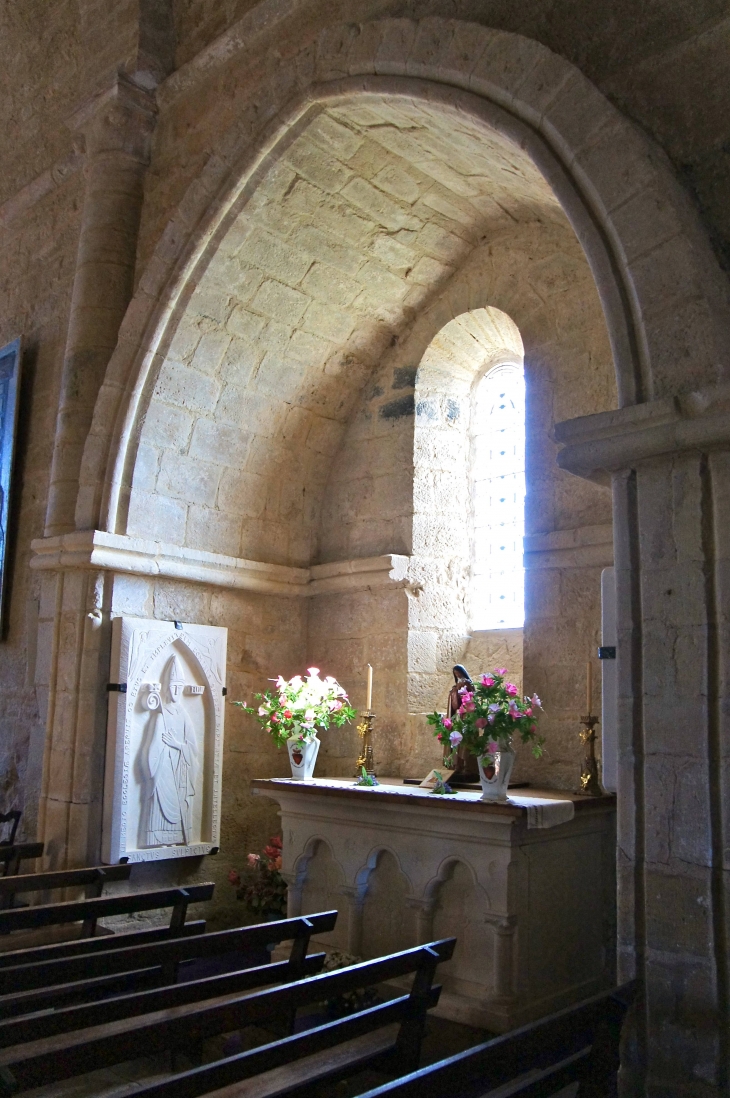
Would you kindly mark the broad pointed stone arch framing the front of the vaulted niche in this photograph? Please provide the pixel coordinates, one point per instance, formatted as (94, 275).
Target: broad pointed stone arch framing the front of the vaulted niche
(609, 177)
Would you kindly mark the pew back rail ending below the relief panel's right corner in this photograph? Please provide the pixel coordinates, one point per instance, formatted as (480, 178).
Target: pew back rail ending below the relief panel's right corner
(89, 911)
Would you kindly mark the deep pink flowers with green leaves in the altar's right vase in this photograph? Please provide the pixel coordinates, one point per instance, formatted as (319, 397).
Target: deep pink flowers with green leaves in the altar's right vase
(490, 715)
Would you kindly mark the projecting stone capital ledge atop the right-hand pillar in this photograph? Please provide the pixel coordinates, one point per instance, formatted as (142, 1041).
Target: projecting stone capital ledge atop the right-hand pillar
(596, 446)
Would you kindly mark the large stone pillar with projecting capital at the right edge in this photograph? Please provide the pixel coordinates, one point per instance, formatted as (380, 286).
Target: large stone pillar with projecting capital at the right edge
(670, 465)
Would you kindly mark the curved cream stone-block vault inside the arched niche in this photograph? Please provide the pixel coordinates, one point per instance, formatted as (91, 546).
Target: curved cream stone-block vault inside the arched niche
(358, 223)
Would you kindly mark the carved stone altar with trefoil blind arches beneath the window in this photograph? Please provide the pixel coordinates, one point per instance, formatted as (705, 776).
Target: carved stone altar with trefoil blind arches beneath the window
(527, 888)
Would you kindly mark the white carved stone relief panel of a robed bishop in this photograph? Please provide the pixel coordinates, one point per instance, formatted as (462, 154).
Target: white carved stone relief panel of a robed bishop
(164, 741)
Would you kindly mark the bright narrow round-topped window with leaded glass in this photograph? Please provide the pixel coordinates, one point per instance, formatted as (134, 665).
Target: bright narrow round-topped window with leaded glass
(498, 468)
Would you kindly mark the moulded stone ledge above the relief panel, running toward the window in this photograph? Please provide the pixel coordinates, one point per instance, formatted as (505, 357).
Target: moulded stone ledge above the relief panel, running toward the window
(116, 553)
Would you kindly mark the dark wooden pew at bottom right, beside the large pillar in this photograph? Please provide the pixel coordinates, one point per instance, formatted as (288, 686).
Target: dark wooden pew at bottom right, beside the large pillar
(578, 1045)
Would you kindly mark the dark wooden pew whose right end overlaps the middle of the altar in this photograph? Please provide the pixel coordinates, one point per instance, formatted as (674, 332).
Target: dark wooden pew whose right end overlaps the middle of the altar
(176, 1024)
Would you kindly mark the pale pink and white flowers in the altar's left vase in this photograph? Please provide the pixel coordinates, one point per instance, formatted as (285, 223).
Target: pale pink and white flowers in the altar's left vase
(299, 707)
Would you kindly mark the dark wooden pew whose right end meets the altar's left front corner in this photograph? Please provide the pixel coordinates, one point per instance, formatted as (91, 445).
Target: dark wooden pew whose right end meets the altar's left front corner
(82, 978)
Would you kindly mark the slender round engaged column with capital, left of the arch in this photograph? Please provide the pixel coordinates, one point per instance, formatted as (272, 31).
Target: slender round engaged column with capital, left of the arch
(118, 128)
